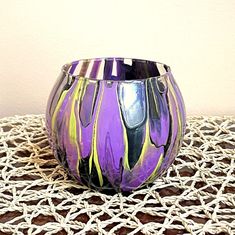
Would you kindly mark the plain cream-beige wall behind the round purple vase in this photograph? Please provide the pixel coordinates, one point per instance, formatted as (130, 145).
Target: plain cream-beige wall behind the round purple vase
(196, 38)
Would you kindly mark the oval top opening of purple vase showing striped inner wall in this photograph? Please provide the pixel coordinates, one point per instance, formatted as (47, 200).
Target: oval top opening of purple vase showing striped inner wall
(115, 69)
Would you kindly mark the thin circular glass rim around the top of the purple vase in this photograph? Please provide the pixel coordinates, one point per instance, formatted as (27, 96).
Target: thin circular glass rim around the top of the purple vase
(66, 68)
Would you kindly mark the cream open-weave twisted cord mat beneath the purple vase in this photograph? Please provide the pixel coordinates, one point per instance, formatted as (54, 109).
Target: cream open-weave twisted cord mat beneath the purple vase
(195, 196)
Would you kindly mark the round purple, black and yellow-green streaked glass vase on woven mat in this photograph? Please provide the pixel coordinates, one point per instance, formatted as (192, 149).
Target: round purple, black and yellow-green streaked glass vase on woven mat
(115, 123)
